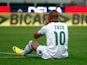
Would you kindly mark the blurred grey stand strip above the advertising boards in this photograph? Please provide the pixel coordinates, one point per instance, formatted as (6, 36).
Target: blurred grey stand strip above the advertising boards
(61, 3)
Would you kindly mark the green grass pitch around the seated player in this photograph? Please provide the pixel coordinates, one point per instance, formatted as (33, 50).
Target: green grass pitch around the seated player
(19, 36)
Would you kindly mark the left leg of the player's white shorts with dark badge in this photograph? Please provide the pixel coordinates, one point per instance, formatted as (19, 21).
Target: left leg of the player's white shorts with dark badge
(42, 52)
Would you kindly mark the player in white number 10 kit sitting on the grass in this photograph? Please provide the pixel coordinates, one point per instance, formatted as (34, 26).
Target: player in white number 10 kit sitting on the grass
(57, 39)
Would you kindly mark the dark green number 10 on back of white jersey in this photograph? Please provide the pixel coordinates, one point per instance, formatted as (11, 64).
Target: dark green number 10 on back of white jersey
(60, 38)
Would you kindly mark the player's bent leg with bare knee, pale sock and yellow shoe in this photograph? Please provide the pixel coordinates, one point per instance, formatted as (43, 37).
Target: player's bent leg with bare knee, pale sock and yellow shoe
(28, 48)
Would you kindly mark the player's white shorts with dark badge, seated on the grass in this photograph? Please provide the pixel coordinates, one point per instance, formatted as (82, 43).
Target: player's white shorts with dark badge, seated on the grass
(43, 53)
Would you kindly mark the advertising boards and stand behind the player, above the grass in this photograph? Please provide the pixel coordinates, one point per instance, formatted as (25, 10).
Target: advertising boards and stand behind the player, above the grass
(42, 6)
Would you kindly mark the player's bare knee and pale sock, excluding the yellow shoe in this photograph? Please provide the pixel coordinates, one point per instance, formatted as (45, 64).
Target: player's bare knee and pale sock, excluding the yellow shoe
(30, 47)
